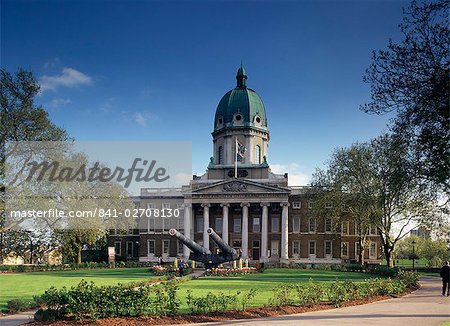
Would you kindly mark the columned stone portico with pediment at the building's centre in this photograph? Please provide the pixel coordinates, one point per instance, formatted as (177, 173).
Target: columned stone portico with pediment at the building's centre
(239, 210)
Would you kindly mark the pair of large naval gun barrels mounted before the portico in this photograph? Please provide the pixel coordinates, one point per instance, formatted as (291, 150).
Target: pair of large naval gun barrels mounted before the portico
(203, 255)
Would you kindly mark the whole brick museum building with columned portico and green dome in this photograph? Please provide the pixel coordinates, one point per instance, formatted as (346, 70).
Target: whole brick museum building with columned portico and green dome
(251, 208)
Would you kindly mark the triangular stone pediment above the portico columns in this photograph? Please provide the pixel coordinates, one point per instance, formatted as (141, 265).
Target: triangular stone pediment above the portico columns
(233, 186)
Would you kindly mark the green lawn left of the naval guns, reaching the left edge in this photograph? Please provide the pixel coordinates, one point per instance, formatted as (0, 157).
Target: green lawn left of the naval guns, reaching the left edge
(25, 285)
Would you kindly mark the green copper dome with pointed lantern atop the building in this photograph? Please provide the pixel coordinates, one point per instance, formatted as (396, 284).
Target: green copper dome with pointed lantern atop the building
(240, 107)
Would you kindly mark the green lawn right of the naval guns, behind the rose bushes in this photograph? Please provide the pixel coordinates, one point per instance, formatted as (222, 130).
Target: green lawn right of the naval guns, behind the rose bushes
(263, 282)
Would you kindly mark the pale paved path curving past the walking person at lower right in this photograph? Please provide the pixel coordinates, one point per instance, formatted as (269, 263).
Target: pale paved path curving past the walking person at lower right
(425, 306)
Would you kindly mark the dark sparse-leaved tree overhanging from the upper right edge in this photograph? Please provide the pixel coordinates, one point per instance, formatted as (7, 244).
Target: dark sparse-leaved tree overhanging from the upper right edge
(412, 78)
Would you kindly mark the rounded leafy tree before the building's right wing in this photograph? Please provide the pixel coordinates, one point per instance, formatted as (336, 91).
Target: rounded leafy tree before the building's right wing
(381, 189)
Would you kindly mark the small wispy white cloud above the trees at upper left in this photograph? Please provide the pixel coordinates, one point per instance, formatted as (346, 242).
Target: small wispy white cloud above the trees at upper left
(69, 77)
